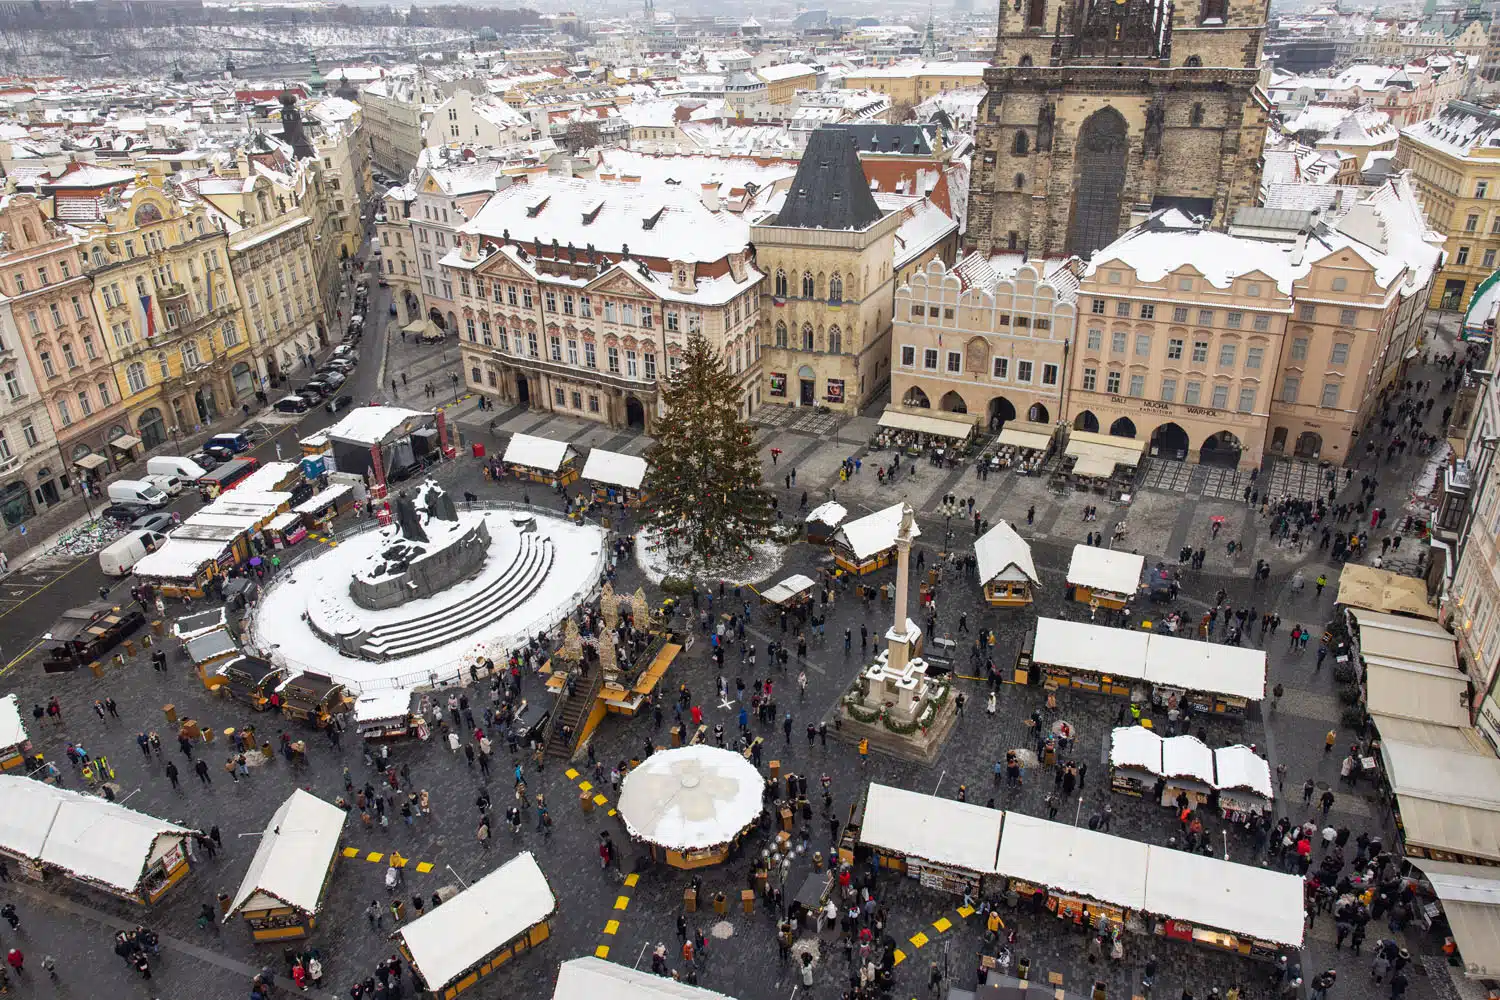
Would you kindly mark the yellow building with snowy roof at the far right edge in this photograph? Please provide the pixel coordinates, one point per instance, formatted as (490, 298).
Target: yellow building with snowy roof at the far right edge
(1456, 166)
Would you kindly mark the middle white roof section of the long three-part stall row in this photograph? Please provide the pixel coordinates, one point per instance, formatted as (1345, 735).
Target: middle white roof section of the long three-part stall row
(1073, 860)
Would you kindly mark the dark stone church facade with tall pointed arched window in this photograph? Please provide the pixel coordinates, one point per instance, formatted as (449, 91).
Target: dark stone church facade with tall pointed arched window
(1102, 112)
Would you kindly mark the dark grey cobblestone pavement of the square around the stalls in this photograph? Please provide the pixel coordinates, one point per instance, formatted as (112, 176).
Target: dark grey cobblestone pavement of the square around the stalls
(76, 926)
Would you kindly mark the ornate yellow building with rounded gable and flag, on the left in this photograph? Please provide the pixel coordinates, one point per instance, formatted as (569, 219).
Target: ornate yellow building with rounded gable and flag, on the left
(169, 304)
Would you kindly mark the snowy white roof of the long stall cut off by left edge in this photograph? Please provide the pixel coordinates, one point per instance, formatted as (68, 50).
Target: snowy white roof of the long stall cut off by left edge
(82, 834)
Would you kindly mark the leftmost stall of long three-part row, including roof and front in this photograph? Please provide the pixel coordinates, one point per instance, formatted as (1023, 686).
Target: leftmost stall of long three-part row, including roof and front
(944, 843)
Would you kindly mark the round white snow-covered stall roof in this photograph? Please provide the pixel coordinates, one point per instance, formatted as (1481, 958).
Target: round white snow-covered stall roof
(691, 798)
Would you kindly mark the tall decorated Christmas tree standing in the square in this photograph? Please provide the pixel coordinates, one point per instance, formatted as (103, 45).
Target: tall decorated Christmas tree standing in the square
(704, 488)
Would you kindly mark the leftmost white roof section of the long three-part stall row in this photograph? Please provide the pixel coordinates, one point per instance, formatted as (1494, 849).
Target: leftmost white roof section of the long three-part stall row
(944, 831)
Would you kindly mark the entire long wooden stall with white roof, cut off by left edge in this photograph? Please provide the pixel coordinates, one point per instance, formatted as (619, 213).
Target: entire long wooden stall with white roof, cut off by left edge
(49, 833)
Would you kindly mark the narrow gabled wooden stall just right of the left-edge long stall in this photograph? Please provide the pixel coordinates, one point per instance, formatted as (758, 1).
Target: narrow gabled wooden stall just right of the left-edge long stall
(289, 878)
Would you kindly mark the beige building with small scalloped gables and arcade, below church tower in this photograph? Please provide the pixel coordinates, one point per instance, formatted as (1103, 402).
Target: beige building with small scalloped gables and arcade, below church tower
(988, 340)
